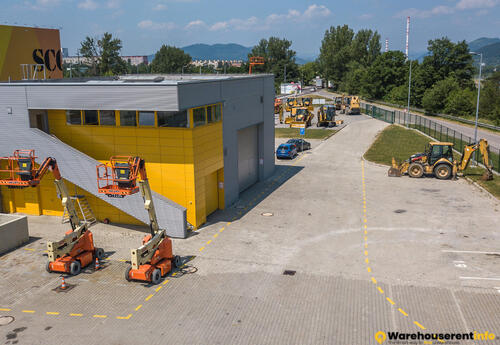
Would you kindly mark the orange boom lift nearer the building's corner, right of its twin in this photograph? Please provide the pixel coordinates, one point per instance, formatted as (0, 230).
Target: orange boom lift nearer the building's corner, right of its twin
(126, 175)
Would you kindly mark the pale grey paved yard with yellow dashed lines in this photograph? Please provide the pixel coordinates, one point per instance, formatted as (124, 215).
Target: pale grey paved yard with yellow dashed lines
(365, 253)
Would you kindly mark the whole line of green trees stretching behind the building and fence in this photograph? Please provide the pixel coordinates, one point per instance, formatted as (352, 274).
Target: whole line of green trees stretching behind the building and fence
(443, 82)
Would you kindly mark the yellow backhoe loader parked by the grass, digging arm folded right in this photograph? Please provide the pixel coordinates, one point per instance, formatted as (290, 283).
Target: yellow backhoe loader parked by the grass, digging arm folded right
(437, 160)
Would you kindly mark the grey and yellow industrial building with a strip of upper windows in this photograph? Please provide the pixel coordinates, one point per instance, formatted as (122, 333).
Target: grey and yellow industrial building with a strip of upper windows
(205, 139)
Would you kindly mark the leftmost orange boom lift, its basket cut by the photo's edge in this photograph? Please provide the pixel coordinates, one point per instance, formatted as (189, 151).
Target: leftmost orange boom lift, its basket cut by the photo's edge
(76, 249)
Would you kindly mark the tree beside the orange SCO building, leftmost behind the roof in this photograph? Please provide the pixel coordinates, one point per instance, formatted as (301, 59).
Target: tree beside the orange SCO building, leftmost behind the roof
(103, 55)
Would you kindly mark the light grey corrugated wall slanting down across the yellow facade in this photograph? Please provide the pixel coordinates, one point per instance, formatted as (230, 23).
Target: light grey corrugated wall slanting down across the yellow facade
(75, 166)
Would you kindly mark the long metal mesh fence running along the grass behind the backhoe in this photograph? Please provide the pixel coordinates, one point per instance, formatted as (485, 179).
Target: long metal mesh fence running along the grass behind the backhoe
(431, 128)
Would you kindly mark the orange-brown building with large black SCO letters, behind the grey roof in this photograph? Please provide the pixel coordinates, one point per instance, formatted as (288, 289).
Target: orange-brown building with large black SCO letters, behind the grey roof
(29, 53)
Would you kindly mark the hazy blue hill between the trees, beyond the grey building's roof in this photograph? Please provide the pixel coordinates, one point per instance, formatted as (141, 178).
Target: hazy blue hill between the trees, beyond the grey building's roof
(230, 51)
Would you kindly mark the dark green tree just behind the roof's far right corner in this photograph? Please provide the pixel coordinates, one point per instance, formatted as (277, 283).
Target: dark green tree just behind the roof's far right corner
(277, 55)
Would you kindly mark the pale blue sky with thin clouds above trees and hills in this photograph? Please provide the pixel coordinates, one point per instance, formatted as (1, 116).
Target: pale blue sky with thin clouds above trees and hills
(144, 25)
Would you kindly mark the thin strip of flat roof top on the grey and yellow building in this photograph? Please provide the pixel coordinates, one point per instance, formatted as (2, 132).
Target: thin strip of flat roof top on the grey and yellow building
(140, 79)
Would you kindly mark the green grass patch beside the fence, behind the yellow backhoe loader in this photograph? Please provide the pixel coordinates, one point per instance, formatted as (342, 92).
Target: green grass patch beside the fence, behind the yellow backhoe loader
(401, 143)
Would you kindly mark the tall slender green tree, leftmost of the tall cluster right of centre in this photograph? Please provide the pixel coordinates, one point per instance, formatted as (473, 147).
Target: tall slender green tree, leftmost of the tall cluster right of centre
(336, 52)
